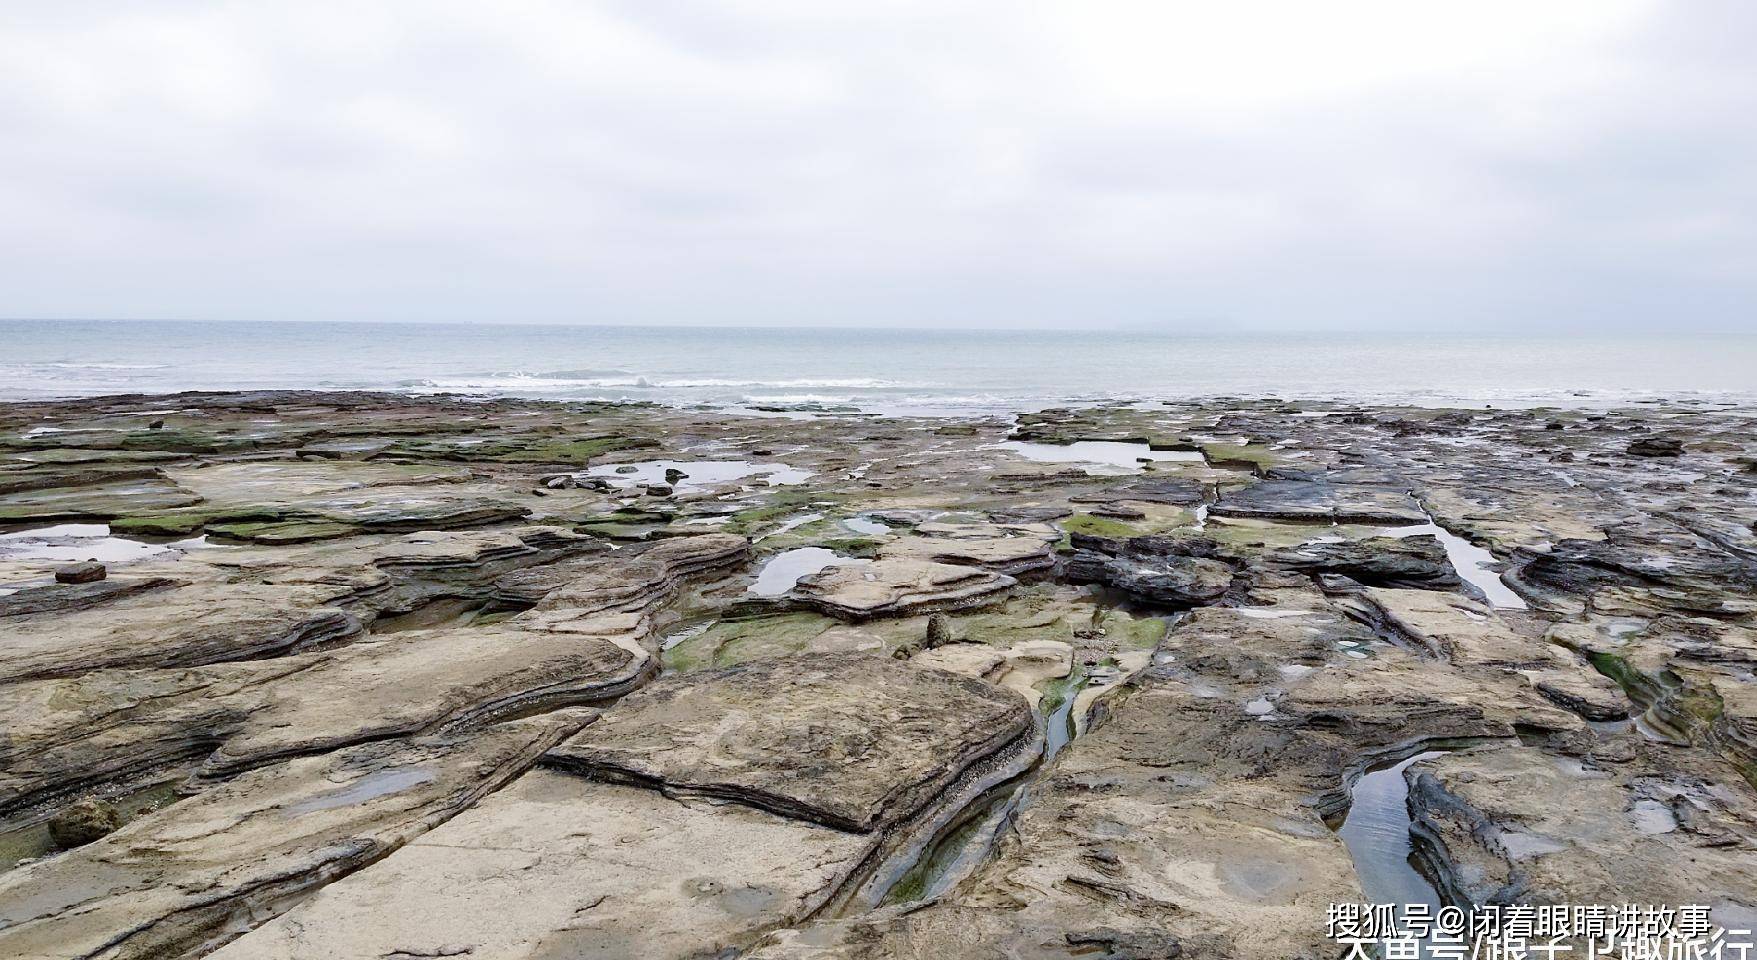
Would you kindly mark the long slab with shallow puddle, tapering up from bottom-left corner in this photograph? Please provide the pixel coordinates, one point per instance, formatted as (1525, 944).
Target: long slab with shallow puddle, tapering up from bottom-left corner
(178, 878)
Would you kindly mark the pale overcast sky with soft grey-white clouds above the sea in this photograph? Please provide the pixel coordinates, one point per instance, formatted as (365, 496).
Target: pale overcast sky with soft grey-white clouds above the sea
(1572, 164)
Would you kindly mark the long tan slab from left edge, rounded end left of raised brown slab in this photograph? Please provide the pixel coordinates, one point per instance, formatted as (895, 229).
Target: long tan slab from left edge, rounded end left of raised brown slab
(113, 725)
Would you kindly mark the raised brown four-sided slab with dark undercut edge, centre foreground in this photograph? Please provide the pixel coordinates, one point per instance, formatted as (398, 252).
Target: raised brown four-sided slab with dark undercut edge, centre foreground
(848, 741)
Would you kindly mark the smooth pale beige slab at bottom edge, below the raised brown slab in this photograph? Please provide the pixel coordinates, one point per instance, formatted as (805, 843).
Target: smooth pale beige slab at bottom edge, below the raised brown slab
(563, 868)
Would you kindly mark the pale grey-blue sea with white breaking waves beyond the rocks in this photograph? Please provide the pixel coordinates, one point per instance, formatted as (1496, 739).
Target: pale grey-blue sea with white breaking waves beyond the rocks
(909, 372)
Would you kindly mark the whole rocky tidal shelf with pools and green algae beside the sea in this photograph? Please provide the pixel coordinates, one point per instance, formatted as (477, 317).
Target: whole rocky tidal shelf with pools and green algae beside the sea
(359, 676)
